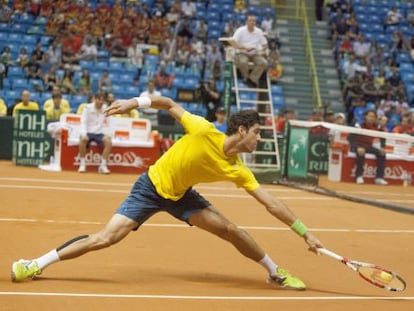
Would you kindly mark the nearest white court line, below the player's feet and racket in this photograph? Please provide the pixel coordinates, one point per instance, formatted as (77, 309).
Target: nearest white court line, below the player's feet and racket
(190, 297)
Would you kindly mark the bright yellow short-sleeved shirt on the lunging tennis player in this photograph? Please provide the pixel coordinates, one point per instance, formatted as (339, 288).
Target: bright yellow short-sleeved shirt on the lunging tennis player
(198, 157)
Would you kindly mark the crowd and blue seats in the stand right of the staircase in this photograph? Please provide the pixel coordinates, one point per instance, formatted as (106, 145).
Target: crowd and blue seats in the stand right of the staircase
(373, 43)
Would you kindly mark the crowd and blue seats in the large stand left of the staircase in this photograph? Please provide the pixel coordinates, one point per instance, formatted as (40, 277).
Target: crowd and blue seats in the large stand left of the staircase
(116, 47)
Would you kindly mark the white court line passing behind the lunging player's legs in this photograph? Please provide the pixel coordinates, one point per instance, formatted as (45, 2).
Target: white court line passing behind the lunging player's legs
(263, 228)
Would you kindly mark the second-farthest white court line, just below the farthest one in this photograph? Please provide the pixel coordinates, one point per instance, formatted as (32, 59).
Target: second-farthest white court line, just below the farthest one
(240, 196)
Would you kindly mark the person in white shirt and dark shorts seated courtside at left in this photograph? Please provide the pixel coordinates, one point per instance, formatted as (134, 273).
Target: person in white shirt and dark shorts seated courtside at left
(92, 122)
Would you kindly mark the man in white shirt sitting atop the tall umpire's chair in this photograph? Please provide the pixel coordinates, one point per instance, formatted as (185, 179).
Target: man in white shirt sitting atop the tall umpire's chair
(252, 45)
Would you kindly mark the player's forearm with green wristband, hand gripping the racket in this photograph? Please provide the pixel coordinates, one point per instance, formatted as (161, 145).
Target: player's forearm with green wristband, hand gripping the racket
(278, 209)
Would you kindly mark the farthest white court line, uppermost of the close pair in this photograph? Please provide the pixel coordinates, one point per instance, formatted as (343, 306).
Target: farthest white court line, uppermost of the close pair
(81, 182)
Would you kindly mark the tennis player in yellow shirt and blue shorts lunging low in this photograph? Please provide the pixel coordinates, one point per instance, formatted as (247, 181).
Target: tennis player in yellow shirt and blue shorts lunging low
(202, 155)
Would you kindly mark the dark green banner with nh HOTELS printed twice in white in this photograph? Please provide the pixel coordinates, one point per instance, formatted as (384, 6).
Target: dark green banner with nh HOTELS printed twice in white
(31, 144)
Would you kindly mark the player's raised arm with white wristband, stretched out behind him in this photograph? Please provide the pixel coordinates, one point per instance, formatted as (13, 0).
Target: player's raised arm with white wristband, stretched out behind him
(121, 106)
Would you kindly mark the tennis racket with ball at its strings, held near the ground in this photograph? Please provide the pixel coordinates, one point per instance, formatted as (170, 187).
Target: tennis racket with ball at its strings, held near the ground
(374, 274)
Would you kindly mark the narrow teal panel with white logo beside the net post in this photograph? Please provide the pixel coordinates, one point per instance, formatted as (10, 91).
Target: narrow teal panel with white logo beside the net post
(297, 161)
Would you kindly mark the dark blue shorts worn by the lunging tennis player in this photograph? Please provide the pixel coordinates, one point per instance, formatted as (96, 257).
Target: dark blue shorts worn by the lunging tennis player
(144, 201)
